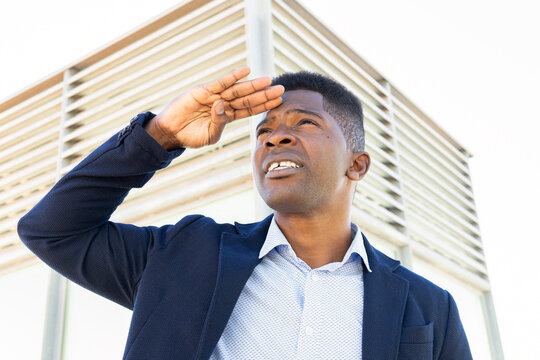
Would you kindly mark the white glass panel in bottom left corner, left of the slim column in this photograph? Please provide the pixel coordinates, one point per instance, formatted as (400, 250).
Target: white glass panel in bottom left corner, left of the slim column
(22, 314)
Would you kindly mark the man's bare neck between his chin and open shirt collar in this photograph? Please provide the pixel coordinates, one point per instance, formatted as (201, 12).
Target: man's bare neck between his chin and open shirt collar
(317, 239)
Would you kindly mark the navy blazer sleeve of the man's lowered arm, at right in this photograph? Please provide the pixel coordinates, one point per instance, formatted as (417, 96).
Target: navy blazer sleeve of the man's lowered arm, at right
(455, 344)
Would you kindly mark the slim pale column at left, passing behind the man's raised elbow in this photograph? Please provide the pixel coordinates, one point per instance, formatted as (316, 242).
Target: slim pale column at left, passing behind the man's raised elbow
(57, 291)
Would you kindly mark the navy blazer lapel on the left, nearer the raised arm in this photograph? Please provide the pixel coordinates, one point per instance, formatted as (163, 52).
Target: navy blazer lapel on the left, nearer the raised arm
(239, 254)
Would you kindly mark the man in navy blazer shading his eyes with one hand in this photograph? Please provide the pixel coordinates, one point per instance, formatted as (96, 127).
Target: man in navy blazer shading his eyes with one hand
(303, 283)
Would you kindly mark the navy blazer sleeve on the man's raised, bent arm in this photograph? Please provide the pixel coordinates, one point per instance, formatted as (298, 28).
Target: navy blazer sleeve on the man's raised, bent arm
(69, 229)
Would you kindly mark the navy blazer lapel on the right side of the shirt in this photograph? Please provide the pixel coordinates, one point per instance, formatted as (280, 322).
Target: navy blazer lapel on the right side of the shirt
(385, 296)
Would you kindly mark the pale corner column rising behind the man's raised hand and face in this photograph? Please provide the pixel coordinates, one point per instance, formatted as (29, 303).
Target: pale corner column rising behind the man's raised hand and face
(260, 59)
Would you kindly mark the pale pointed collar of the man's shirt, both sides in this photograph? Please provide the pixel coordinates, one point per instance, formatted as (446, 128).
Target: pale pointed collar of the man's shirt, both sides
(275, 238)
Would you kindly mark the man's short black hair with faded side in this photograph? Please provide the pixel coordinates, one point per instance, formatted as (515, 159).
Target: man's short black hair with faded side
(338, 101)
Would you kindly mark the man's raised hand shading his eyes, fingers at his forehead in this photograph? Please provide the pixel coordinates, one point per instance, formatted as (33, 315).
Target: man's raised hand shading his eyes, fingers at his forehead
(198, 117)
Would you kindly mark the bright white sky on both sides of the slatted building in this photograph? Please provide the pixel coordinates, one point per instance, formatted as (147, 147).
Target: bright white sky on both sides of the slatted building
(473, 66)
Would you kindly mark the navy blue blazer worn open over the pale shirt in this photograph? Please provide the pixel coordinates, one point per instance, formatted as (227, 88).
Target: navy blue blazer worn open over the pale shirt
(182, 281)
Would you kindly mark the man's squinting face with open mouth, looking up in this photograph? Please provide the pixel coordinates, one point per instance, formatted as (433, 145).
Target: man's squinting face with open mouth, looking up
(301, 157)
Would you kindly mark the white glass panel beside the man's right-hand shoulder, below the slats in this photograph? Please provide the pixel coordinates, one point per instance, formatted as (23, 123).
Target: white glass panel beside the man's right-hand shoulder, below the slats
(469, 302)
